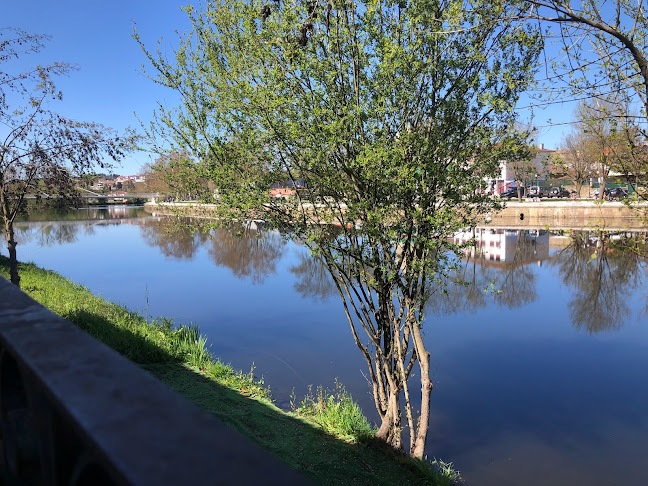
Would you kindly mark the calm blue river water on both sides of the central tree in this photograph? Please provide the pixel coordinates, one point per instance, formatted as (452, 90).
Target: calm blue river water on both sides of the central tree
(540, 365)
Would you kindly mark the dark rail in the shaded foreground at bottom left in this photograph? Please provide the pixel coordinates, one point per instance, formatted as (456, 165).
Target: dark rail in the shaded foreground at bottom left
(74, 412)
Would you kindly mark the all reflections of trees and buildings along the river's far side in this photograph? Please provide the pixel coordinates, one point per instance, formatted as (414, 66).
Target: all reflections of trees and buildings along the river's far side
(602, 269)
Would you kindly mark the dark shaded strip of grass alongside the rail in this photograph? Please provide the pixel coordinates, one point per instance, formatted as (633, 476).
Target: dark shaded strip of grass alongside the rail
(294, 441)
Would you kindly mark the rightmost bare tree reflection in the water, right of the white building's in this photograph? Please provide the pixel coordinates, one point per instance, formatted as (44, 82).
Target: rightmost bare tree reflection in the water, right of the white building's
(603, 271)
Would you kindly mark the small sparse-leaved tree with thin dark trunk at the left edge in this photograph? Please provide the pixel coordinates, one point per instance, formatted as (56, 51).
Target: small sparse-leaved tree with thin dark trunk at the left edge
(42, 153)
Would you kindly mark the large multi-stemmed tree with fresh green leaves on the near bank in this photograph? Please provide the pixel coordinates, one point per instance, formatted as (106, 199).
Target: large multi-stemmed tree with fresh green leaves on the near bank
(387, 110)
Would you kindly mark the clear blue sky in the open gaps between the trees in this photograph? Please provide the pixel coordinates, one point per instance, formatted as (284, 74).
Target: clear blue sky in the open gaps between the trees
(109, 87)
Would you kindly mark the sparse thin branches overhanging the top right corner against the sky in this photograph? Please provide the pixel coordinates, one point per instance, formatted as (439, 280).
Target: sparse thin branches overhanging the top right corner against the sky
(604, 59)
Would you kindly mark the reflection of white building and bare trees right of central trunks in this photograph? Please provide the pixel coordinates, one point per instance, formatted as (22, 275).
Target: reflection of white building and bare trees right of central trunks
(603, 270)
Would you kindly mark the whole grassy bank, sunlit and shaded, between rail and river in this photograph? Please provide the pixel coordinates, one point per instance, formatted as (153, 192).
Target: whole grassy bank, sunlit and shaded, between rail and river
(326, 437)
